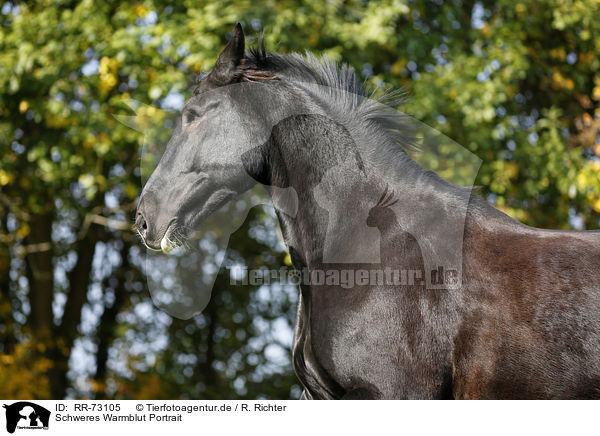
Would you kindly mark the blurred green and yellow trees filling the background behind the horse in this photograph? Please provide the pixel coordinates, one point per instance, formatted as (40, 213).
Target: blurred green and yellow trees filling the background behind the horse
(515, 83)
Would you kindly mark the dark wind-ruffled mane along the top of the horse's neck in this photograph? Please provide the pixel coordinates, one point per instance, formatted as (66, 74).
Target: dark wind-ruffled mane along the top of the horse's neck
(392, 134)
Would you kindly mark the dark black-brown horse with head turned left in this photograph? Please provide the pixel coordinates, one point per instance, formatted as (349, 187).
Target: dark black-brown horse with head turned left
(521, 319)
